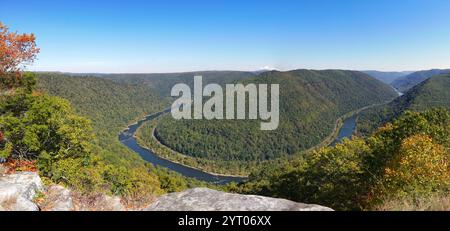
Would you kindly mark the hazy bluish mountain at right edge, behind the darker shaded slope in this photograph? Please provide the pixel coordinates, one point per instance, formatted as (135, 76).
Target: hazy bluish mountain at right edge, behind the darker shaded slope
(405, 83)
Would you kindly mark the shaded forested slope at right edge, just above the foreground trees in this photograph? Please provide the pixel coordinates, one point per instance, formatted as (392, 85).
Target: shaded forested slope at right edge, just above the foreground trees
(433, 92)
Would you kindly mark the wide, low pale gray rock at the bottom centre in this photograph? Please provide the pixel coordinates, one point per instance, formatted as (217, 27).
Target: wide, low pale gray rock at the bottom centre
(204, 199)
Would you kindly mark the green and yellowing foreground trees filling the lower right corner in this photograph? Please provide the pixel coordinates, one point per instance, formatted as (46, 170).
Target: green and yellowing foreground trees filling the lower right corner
(403, 166)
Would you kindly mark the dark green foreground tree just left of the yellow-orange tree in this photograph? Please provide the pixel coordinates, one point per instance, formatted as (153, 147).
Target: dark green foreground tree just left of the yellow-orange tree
(333, 176)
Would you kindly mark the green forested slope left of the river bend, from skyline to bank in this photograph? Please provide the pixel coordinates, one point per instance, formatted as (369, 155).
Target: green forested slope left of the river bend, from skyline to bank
(111, 107)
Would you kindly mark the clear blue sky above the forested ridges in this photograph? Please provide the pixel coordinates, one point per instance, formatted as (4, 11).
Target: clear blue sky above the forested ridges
(173, 36)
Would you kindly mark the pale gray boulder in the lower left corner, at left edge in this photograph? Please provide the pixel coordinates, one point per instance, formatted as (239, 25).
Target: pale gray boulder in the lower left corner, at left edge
(17, 191)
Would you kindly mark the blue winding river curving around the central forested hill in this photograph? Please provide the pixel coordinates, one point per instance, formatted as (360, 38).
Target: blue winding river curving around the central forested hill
(127, 137)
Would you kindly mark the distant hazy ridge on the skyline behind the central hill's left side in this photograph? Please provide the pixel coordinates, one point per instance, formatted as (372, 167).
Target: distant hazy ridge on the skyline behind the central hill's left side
(162, 83)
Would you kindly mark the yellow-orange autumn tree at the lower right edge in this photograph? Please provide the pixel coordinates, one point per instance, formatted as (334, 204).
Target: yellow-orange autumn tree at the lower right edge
(420, 167)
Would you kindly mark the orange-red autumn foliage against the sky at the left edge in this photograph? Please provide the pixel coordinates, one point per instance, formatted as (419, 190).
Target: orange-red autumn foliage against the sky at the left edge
(16, 51)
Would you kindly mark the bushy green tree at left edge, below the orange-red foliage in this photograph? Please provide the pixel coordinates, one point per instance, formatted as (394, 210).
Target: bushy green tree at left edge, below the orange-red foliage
(45, 127)
